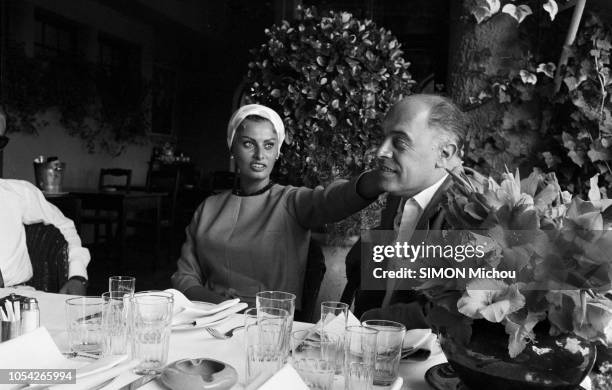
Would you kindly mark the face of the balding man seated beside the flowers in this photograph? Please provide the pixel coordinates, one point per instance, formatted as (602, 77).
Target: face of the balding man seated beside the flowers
(410, 151)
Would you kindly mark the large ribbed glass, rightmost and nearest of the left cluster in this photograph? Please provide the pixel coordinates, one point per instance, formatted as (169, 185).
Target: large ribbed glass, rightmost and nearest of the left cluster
(150, 325)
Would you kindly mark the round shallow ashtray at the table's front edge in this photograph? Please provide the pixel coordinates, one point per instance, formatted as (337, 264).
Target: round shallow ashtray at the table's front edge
(206, 374)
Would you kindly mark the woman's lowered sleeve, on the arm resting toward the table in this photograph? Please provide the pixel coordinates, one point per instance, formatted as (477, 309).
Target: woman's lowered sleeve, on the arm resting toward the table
(189, 273)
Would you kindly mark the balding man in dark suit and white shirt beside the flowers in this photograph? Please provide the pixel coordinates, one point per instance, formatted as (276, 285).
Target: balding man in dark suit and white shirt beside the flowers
(424, 136)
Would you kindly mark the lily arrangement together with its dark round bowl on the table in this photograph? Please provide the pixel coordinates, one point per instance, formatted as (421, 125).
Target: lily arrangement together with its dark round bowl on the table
(539, 328)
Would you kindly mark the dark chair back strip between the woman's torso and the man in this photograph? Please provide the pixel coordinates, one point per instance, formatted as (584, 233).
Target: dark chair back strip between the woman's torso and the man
(315, 271)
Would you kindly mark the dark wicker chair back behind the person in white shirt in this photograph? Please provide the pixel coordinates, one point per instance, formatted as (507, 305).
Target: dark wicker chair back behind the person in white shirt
(48, 251)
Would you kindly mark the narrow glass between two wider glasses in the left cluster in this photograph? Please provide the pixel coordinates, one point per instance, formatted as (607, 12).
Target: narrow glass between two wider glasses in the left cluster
(115, 323)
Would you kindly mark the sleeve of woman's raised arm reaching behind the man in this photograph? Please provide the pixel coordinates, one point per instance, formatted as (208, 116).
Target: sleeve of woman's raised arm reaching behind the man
(315, 207)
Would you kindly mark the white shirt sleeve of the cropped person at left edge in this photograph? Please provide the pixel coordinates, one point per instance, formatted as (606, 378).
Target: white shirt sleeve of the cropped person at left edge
(36, 209)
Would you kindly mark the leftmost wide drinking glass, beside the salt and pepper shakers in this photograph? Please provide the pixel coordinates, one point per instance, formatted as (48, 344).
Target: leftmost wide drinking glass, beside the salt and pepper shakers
(84, 324)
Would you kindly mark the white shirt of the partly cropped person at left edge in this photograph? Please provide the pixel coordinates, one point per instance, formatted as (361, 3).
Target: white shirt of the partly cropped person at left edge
(22, 203)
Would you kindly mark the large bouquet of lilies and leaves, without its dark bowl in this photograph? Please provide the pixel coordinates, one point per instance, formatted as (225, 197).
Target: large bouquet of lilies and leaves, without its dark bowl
(558, 245)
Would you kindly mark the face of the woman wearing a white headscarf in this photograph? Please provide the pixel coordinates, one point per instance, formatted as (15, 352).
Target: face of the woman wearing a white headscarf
(255, 150)
